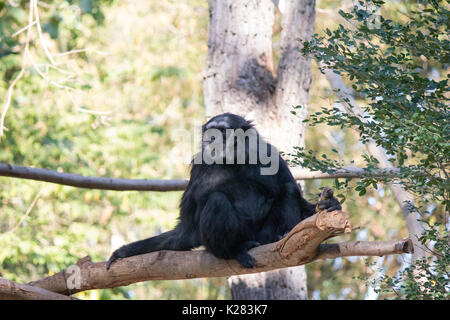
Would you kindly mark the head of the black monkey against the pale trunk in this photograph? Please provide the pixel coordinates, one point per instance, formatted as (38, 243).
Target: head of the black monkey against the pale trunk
(228, 137)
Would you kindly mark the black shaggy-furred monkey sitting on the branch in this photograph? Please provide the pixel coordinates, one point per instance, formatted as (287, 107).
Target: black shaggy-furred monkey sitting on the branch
(231, 208)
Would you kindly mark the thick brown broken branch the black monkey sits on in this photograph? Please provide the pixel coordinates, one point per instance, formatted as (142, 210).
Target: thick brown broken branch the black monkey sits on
(300, 246)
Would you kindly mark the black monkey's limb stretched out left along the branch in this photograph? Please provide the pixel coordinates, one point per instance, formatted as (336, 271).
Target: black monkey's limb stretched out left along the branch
(171, 240)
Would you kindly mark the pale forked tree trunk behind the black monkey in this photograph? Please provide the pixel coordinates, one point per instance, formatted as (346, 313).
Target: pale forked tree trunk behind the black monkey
(239, 78)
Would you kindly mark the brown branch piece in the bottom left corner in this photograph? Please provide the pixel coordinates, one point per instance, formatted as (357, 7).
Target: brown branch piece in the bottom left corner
(10, 290)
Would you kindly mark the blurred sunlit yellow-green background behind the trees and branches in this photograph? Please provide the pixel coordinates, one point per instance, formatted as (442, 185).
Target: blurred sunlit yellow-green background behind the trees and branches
(112, 110)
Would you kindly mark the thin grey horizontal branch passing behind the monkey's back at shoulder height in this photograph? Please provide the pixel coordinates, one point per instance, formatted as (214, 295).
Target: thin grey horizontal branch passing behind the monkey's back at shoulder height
(118, 184)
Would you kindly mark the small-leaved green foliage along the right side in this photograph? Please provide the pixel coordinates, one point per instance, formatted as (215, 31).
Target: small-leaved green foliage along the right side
(395, 67)
